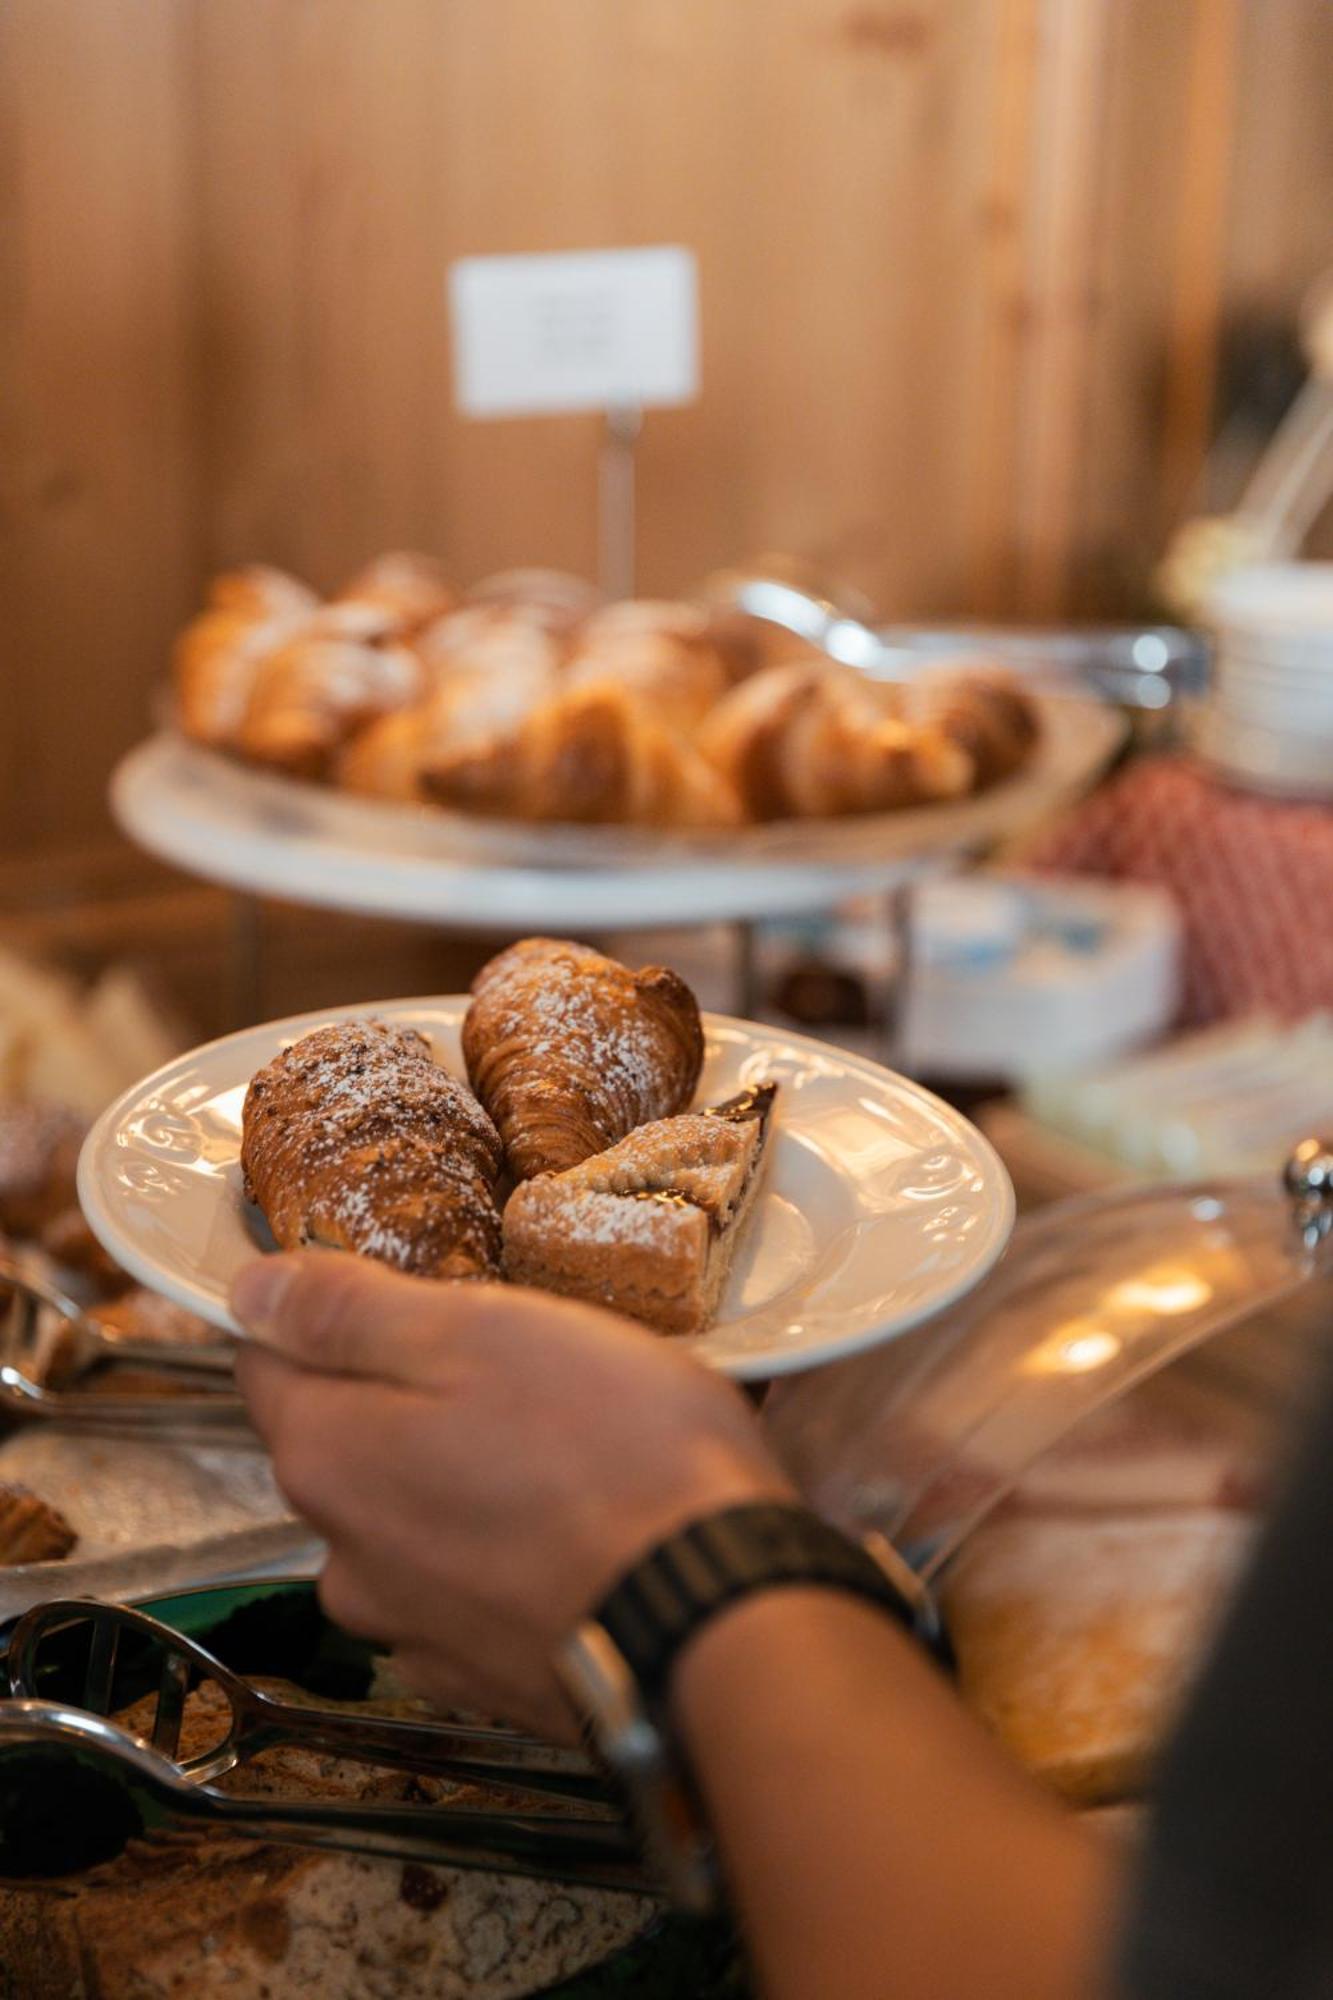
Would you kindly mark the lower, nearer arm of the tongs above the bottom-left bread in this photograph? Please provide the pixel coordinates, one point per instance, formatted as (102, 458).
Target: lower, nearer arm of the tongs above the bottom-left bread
(563, 1849)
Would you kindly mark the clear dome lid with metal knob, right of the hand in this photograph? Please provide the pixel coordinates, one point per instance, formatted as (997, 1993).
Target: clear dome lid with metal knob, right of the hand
(922, 1439)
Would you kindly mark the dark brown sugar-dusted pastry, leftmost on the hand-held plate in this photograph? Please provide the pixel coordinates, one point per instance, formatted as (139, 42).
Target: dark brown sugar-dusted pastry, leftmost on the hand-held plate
(359, 1141)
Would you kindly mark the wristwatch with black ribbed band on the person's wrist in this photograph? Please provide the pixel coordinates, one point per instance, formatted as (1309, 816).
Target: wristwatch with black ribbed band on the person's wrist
(617, 1667)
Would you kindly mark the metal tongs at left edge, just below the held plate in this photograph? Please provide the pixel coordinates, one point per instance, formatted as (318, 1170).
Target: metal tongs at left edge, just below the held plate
(41, 1321)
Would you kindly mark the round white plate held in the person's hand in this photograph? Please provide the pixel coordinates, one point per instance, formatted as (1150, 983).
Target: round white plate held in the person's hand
(880, 1209)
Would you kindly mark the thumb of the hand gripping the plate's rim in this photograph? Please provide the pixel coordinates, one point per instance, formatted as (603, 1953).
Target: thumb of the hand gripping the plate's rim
(353, 1317)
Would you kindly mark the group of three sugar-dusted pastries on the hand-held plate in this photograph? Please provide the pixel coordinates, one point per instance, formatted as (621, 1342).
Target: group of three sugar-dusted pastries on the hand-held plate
(573, 1167)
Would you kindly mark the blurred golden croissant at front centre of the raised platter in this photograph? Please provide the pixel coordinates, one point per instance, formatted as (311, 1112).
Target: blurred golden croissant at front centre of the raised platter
(587, 757)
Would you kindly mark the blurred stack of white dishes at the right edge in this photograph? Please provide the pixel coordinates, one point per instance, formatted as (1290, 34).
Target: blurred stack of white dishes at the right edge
(1270, 717)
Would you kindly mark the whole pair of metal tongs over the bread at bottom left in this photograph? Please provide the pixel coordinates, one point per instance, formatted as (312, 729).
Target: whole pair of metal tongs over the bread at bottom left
(109, 1653)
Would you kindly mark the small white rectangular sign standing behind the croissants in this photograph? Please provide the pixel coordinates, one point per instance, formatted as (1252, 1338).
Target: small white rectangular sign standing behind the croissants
(587, 331)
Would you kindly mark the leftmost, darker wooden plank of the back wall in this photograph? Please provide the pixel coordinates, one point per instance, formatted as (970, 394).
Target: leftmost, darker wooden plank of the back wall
(97, 475)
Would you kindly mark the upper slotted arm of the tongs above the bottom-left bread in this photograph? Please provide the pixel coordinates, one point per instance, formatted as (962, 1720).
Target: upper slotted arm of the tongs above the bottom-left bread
(259, 1721)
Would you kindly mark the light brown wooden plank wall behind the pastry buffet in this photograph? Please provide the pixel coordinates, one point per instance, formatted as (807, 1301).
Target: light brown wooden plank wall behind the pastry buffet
(964, 265)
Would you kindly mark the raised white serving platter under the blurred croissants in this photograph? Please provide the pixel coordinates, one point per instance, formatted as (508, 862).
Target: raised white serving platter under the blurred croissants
(321, 847)
